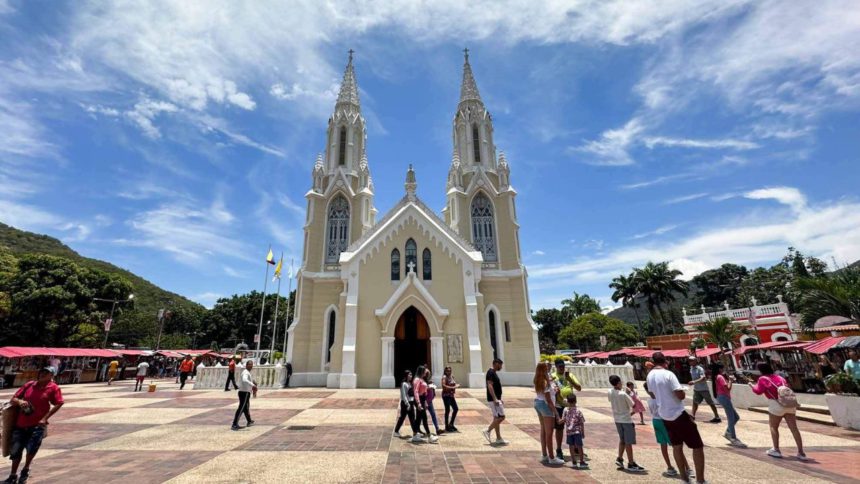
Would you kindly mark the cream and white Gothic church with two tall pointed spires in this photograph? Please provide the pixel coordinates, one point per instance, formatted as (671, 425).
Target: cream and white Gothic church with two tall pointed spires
(378, 296)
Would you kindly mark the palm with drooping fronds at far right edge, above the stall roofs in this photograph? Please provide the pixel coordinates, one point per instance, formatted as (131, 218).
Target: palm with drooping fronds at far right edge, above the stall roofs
(837, 294)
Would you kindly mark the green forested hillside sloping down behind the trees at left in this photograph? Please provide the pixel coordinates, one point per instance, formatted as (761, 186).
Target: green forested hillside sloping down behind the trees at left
(136, 325)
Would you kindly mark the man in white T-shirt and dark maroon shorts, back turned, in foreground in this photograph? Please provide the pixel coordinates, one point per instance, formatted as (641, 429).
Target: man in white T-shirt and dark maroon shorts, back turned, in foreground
(682, 429)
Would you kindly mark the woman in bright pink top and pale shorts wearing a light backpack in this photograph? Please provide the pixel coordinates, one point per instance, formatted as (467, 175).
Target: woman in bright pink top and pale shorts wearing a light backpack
(782, 403)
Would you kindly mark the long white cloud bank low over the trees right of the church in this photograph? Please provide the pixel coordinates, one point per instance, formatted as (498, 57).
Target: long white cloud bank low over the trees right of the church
(828, 230)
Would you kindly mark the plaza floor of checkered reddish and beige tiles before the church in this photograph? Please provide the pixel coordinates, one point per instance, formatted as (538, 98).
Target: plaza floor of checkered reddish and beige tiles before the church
(110, 434)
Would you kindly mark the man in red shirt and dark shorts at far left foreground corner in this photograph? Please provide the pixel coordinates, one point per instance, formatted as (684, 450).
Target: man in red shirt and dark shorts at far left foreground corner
(37, 401)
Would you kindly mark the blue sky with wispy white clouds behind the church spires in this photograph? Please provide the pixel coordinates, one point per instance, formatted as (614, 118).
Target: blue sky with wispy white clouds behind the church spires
(176, 139)
